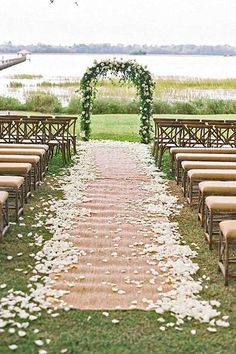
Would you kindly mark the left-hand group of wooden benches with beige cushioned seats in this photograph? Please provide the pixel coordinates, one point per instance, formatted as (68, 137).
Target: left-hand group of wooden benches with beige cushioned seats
(22, 169)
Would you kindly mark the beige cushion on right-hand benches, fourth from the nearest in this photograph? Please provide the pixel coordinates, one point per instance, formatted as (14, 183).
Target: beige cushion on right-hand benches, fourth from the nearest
(212, 174)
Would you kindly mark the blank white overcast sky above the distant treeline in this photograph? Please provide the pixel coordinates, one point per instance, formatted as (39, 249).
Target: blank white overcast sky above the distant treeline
(118, 21)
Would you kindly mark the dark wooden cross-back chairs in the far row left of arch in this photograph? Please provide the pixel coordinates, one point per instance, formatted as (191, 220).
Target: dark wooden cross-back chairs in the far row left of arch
(59, 132)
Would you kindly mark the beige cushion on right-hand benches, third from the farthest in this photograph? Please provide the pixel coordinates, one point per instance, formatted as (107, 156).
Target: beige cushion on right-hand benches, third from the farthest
(189, 165)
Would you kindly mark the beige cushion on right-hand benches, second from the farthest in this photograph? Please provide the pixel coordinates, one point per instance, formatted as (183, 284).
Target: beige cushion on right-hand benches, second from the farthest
(206, 157)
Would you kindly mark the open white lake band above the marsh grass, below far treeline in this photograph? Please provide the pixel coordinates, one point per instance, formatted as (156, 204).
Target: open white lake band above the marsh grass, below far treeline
(74, 65)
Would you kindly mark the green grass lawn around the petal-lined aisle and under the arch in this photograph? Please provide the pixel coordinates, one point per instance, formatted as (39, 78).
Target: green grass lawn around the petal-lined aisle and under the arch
(138, 331)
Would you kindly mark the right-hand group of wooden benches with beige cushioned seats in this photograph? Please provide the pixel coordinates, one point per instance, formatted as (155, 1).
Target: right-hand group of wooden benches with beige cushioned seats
(207, 177)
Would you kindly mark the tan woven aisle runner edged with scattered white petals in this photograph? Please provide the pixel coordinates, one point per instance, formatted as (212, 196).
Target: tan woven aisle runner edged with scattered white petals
(114, 271)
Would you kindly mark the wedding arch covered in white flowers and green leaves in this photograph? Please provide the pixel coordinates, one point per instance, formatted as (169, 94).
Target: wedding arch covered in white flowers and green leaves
(129, 71)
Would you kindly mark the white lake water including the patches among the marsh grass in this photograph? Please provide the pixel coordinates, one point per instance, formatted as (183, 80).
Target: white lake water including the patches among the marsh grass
(61, 67)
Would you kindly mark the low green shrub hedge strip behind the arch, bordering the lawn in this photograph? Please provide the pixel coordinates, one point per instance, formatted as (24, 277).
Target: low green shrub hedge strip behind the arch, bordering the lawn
(40, 101)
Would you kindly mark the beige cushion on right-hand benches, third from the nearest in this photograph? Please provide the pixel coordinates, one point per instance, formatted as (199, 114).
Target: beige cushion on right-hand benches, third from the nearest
(217, 187)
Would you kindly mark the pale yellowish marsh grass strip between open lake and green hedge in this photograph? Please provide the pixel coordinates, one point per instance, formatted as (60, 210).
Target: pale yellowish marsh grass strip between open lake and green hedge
(166, 89)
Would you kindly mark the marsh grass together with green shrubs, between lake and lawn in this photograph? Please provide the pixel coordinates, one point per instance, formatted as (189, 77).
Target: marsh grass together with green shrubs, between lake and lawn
(171, 96)
